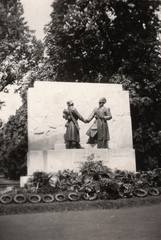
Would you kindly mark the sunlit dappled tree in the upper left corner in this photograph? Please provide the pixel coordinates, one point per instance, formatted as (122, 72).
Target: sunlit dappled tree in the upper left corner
(19, 49)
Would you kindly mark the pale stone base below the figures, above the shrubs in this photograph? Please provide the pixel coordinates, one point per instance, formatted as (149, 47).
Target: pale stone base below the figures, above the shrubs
(52, 161)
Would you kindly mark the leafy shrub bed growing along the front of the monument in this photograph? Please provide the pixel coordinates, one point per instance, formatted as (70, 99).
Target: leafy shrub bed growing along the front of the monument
(112, 186)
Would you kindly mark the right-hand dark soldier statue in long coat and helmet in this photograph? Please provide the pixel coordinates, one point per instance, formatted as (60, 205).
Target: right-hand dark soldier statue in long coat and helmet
(99, 130)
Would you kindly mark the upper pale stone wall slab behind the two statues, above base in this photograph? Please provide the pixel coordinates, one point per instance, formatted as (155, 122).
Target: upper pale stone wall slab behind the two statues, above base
(47, 100)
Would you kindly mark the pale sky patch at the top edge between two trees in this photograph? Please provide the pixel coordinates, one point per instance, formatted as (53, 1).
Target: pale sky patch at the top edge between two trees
(37, 14)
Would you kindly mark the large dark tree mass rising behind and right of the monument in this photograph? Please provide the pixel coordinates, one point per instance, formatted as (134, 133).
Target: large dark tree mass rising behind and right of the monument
(113, 41)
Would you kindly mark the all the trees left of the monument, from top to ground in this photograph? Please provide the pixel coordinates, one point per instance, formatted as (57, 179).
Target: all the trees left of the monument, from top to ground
(20, 53)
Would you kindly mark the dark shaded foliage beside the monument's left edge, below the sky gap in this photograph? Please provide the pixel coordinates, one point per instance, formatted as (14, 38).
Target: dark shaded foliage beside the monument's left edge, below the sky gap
(14, 143)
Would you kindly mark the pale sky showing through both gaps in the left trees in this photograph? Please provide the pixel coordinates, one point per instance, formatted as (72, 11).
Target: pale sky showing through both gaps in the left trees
(37, 14)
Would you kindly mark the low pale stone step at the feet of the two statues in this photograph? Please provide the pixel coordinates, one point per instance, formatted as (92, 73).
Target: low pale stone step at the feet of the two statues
(62, 146)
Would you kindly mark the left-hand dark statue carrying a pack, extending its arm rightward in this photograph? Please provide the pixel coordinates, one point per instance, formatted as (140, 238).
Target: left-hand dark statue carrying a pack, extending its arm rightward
(72, 136)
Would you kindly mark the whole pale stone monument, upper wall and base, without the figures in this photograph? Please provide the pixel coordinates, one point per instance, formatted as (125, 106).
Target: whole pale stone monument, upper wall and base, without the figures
(46, 127)
